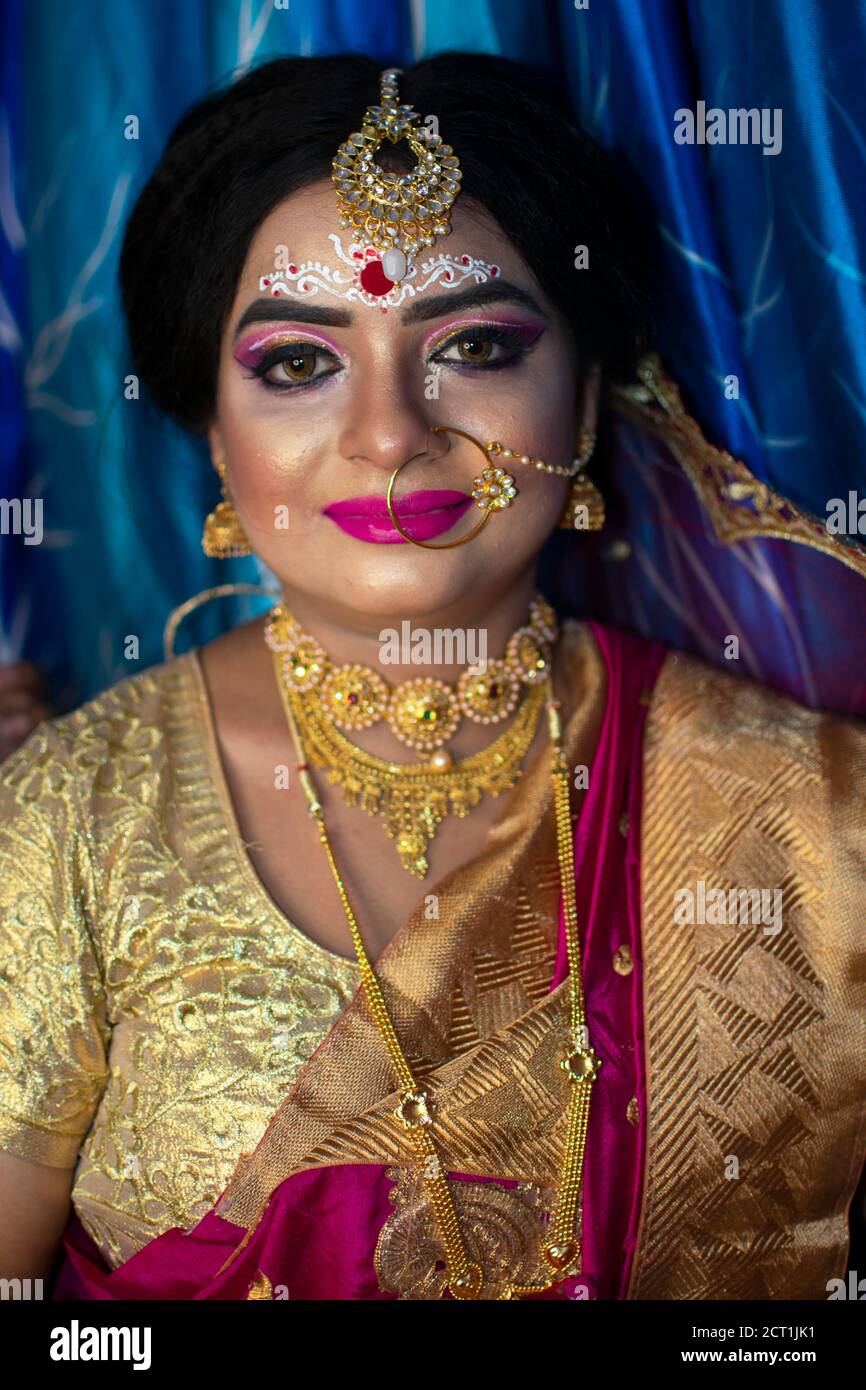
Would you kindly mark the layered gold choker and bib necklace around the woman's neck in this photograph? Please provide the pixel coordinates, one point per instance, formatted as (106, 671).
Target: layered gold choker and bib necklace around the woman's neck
(415, 799)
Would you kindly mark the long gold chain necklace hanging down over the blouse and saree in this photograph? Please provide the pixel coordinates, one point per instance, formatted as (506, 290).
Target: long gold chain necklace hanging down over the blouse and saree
(416, 1111)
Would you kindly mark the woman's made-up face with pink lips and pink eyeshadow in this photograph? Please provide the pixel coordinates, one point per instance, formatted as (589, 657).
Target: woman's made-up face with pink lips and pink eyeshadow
(315, 414)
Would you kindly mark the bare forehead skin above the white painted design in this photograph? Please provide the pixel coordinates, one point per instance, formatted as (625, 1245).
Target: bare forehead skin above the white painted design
(305, 223)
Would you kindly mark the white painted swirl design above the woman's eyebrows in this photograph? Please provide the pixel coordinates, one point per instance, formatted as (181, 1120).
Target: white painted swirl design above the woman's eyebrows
(308, 280)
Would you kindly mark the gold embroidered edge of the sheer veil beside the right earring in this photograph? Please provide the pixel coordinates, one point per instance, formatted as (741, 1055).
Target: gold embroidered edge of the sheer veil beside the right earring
(739, 505)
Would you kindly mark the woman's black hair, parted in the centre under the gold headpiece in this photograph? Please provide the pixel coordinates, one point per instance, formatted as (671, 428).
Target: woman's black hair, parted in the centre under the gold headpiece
(244, 149)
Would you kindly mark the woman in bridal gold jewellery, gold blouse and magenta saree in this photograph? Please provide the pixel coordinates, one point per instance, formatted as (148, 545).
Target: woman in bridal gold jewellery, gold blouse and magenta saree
(275, 1047)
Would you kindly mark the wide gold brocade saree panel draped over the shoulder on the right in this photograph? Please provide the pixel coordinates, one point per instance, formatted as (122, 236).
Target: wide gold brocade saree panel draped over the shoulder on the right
(757, 1111)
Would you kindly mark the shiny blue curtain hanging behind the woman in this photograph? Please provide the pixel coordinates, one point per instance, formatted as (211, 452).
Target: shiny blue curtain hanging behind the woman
(762, 277)
